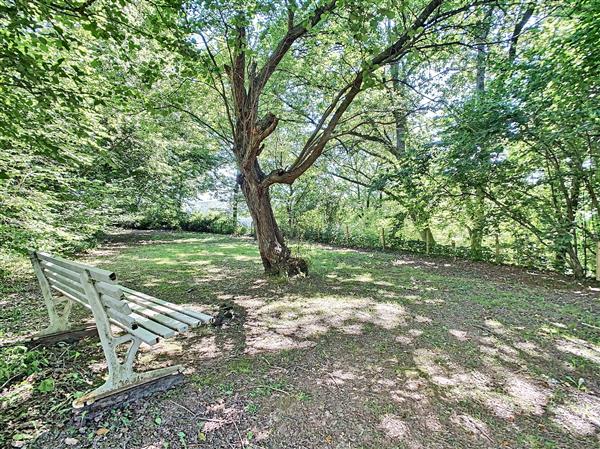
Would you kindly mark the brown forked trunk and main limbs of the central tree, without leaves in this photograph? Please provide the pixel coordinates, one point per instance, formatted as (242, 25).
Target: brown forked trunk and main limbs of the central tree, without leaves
(247, 82)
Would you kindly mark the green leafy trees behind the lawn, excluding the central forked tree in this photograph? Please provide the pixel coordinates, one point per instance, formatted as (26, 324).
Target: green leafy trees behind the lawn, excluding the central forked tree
(488, 150)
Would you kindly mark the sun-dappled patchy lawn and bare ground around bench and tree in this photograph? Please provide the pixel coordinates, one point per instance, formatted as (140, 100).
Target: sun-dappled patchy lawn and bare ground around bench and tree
(373, 350)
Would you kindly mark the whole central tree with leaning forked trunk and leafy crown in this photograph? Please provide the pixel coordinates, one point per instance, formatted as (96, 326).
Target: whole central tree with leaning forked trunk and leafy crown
(242, 45)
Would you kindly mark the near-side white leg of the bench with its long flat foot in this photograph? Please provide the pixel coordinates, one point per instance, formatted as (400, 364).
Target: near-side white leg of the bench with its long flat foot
(121, 376)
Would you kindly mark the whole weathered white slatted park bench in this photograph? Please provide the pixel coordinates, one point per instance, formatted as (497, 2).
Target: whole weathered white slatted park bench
(140, 317)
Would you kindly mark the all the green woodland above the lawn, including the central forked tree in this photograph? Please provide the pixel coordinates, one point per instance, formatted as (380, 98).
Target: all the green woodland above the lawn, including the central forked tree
(453, 127)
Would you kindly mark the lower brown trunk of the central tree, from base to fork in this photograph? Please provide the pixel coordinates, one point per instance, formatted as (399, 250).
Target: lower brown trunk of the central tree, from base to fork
(276, 256)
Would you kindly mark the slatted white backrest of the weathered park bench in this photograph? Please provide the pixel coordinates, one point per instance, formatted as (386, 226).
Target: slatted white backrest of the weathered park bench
(70, 278)
